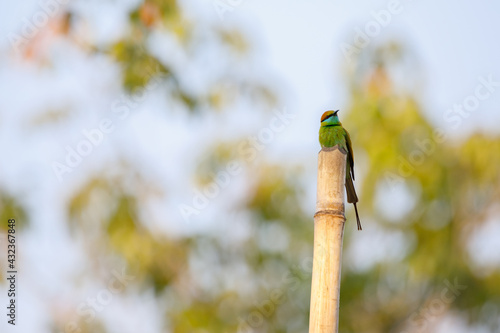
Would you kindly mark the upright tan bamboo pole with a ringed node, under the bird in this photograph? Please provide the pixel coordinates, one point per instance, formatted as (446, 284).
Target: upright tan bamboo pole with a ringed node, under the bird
(329, 223)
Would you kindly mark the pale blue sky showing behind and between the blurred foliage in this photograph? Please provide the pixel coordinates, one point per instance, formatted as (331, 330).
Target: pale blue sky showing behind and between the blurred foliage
(299, 42)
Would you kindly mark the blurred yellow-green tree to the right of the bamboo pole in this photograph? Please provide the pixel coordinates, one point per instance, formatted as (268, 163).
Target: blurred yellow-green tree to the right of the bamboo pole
(452, 187)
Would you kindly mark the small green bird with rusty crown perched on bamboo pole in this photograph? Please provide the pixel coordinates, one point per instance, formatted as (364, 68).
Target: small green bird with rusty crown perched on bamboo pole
(331, 133)
